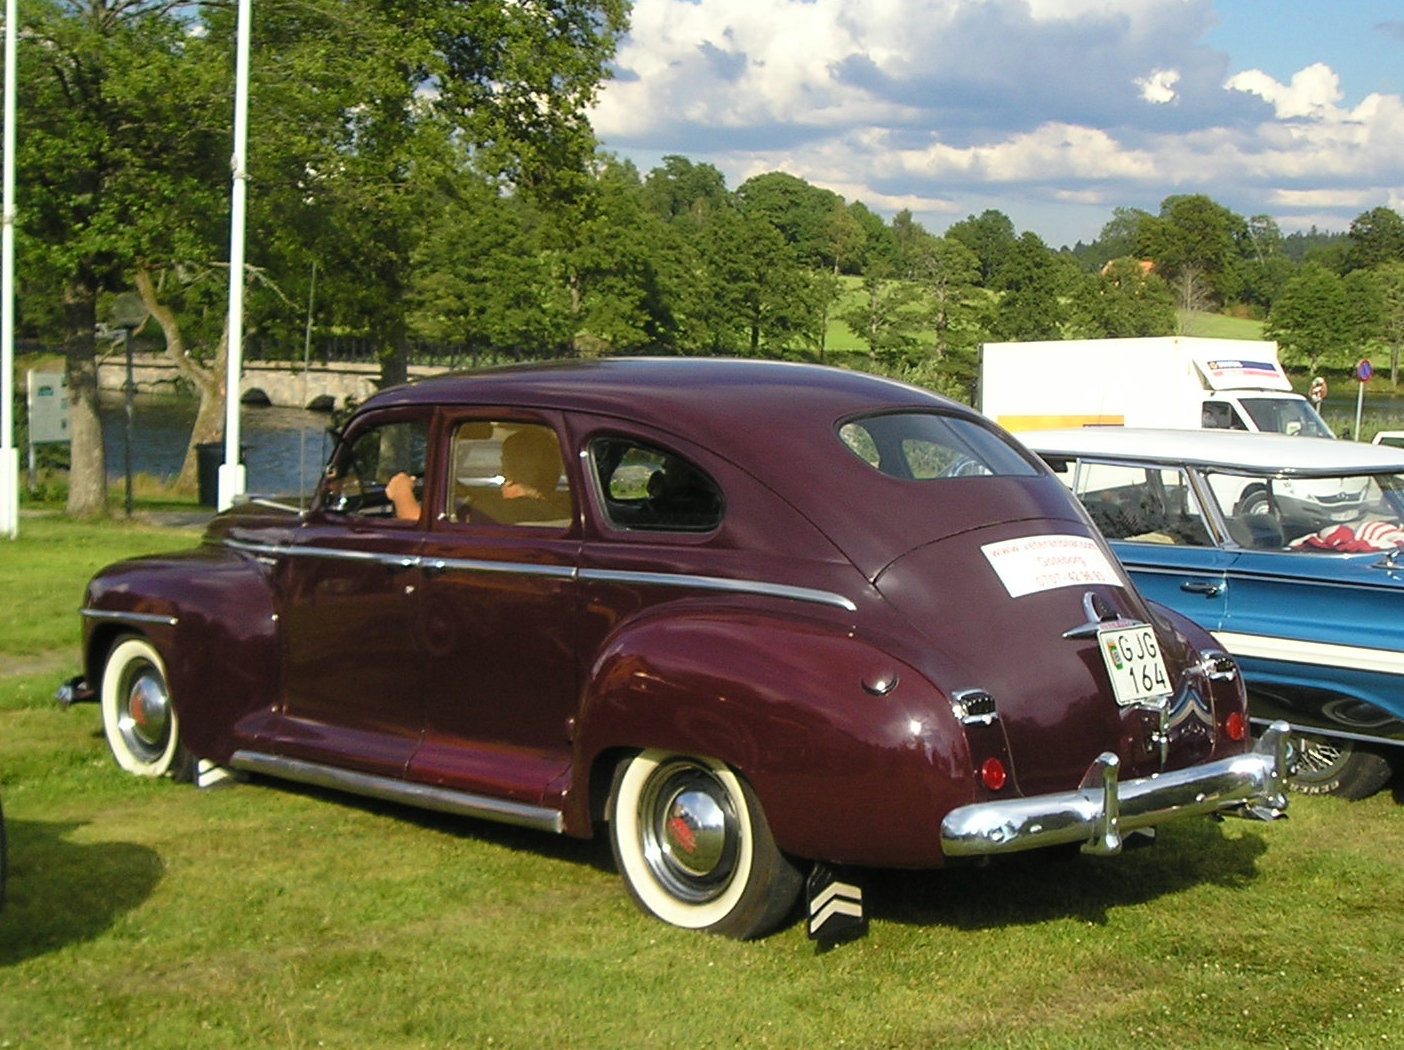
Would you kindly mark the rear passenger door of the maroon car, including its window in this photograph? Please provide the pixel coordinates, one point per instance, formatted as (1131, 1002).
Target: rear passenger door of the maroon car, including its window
(499, 609)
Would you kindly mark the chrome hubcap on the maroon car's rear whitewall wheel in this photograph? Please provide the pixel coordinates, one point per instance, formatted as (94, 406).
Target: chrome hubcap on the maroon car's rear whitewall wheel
(690, 832)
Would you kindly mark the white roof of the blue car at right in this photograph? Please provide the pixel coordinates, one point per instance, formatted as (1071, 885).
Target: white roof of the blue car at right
(1254, 453)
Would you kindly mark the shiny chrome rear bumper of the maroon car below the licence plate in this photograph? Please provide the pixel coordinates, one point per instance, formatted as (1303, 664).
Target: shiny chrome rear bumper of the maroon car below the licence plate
(1103, 809)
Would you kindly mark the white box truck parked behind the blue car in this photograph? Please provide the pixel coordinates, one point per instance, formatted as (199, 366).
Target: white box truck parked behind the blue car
(1183, 383)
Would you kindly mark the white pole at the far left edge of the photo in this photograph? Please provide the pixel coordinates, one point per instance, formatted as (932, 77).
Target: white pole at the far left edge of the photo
(9, 454)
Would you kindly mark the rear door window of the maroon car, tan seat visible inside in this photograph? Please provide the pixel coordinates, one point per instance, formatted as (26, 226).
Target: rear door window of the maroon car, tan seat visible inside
(509, 474)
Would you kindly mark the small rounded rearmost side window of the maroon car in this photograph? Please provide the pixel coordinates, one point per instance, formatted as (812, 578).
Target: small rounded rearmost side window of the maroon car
(648, 488)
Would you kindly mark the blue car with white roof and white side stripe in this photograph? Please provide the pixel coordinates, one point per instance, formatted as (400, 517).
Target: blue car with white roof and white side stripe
(1288, 550)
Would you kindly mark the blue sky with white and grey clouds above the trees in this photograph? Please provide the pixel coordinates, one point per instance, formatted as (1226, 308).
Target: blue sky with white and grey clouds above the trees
(1052, 112)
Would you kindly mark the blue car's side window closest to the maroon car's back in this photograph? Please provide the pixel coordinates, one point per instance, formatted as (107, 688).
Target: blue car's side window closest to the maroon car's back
(1142, 505)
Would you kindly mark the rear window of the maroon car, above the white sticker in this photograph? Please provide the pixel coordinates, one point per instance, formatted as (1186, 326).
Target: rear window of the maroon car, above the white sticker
(923, 447)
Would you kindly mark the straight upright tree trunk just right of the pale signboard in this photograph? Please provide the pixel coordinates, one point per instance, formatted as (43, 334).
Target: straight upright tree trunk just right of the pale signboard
(88, 465)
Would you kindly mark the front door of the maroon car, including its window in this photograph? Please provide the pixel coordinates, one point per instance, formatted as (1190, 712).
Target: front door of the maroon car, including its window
(349, 606)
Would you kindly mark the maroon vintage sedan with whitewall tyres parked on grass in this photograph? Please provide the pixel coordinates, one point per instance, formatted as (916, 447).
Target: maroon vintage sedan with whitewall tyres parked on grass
(749, 616)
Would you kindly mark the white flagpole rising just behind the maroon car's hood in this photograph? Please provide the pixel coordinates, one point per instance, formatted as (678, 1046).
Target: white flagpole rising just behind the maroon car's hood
(232, 472)
